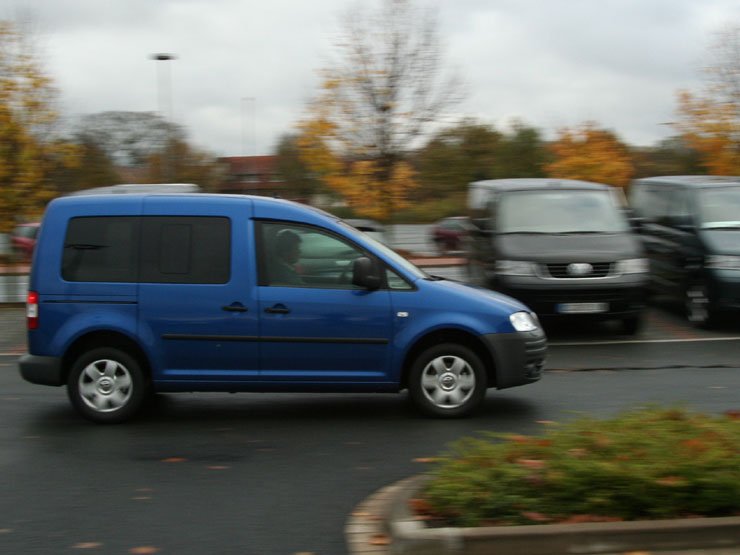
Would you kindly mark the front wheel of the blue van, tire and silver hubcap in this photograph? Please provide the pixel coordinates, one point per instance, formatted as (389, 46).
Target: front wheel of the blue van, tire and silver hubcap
(447, 381)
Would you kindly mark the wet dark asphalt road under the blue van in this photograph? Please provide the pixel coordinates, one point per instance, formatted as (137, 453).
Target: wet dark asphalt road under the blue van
(279, 474)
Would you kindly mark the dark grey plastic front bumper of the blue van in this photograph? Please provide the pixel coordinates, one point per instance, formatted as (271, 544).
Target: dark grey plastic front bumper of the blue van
(519, 357)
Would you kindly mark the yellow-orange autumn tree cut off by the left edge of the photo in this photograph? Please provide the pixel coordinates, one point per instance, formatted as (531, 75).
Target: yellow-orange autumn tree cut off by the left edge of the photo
(29, 147)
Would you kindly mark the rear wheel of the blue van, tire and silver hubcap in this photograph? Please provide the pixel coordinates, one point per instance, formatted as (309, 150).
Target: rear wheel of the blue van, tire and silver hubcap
(107, 385)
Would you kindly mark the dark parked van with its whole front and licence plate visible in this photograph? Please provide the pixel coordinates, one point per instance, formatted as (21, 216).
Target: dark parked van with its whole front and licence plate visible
(562, 247)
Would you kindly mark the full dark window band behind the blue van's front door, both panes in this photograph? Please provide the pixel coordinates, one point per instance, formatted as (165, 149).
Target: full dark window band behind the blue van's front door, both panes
(150, 249)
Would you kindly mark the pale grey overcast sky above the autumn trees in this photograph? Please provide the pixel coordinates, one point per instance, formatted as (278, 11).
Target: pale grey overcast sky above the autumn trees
(245, 68)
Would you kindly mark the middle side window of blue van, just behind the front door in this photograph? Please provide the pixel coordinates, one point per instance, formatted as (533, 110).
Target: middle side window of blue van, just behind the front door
(185, 249)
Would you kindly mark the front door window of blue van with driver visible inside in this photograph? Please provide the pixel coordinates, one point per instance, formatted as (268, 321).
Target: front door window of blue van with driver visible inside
(293, 255)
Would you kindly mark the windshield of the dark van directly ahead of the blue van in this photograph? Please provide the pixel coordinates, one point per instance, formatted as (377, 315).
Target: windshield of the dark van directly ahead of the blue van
(547, 211)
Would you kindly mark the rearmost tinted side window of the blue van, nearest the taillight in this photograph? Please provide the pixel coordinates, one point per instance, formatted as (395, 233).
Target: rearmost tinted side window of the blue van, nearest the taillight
(101, 249)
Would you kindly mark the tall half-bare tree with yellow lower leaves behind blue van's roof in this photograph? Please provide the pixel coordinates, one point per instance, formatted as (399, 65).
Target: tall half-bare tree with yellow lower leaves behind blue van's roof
(375, 104)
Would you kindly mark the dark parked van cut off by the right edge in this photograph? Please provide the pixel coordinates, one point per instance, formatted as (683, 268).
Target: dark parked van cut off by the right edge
(691, 229)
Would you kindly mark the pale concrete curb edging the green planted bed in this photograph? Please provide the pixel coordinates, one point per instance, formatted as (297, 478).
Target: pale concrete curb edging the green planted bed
(382, 524)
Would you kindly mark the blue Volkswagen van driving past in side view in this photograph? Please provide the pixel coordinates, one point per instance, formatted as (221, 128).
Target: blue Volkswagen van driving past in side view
(142, 293)
